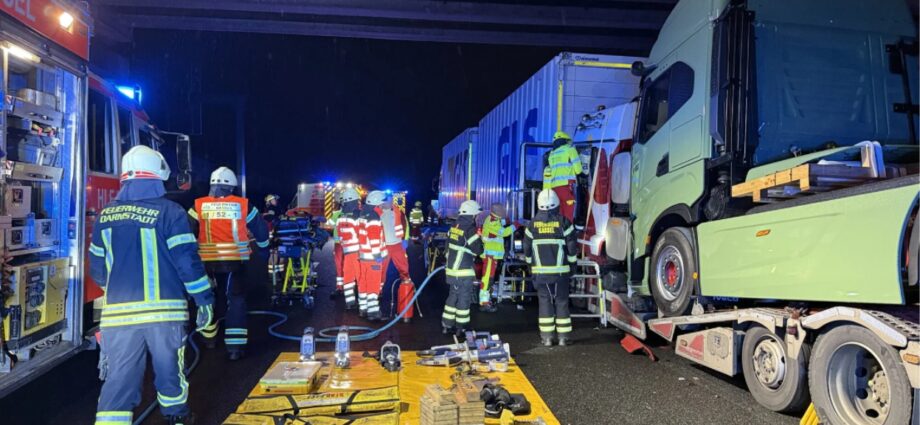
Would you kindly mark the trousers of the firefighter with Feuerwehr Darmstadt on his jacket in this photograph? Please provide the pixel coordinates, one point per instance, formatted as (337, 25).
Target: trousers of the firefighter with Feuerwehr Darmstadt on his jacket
(126, 349)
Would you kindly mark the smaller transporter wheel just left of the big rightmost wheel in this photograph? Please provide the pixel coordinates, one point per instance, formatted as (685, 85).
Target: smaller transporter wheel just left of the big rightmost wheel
(776, 381)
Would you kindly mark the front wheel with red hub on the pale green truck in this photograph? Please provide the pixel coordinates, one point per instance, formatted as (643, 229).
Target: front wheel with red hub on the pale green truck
(673, 270)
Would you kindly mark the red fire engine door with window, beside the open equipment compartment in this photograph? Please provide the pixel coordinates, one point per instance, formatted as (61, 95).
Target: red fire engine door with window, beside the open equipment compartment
(103, 155)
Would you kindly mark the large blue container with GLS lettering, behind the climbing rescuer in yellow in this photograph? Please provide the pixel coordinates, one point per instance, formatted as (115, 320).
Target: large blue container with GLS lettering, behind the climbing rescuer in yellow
(556, 97)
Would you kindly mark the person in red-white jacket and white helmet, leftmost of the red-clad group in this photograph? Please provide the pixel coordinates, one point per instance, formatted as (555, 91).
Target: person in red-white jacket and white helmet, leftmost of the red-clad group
(346, 230)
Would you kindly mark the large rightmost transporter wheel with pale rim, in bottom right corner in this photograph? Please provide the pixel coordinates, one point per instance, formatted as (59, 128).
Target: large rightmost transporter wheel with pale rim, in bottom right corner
(854, 377)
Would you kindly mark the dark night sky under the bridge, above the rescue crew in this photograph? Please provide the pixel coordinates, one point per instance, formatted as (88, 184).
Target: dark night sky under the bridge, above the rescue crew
(316, 109)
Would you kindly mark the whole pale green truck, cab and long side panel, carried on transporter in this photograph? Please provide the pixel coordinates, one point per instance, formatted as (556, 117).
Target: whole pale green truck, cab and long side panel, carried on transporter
(737, 90)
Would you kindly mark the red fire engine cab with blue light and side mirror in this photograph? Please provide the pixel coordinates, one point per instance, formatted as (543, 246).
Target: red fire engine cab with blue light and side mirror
(116, 122)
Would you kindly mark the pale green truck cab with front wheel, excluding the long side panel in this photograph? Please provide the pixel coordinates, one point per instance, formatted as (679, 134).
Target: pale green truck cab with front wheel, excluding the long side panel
(734, 90)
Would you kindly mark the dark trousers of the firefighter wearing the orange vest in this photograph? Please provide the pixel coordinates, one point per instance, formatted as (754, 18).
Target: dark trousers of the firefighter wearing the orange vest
(231, 303)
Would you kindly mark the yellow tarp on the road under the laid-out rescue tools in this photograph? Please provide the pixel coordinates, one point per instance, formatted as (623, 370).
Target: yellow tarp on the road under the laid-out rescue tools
(411, 380)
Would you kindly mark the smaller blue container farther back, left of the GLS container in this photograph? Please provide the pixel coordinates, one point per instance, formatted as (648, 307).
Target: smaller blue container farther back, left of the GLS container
(456, 179)
